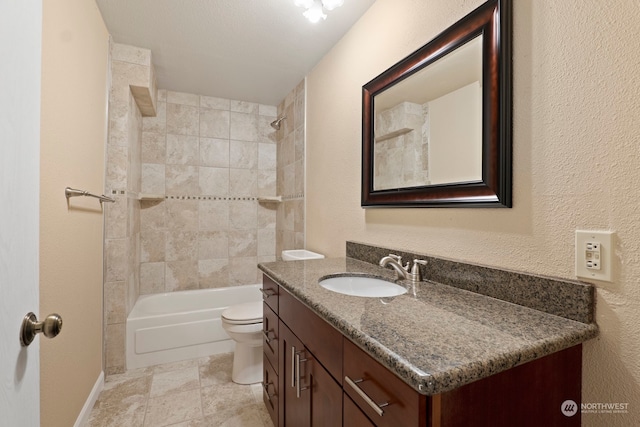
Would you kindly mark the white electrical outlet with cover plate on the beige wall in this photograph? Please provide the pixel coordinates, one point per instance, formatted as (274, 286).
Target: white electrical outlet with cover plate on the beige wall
(594, 255)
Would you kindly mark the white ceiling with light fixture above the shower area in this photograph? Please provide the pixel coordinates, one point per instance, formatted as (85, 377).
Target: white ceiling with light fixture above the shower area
(248, 50)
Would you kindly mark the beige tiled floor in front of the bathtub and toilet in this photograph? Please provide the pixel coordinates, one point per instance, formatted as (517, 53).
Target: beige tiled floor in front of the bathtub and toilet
(193, 393)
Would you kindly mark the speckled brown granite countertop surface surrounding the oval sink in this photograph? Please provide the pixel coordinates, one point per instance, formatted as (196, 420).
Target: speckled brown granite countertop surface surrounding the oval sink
(435, 337)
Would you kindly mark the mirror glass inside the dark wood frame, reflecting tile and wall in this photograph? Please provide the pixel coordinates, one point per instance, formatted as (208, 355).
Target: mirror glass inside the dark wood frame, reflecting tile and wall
(428, 128)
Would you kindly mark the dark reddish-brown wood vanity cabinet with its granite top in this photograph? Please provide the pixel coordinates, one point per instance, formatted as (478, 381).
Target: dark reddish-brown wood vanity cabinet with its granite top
(332, 360)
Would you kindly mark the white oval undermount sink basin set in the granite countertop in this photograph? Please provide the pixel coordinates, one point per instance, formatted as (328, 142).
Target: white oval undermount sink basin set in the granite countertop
(361, 286)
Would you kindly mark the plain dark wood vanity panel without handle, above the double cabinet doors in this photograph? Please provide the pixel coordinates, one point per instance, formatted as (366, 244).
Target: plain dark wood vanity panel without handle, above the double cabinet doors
(322, 339)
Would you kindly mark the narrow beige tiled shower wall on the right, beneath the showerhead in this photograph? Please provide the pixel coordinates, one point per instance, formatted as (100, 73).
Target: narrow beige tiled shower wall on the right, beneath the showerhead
(290, 171)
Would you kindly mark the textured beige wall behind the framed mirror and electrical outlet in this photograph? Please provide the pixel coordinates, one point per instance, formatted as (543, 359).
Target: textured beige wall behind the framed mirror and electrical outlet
(575, 162)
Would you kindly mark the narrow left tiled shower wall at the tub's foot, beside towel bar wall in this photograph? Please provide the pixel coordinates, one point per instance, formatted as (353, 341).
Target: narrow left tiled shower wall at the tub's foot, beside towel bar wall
(130, 68)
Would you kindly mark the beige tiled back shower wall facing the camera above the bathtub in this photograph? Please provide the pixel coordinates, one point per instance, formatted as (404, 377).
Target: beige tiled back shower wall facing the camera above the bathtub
(209, 159)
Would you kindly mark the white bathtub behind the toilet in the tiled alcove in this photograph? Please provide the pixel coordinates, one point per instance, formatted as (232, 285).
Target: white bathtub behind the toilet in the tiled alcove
(174, 326)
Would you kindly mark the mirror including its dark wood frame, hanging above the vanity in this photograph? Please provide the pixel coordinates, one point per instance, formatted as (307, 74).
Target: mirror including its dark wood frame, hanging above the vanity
(436, 126)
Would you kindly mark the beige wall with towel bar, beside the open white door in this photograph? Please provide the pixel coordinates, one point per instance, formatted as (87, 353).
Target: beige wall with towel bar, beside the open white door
(74, 90)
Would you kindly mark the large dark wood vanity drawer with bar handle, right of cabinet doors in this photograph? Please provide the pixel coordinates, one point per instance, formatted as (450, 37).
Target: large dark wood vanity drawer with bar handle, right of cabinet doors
(369, 384)
